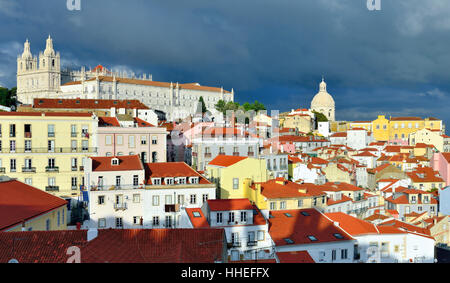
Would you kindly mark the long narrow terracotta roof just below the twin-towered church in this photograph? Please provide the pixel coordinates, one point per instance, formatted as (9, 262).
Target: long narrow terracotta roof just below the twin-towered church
(87, 103)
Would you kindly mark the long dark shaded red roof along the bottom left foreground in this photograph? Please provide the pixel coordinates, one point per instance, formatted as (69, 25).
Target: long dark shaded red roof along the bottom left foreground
(116, 246)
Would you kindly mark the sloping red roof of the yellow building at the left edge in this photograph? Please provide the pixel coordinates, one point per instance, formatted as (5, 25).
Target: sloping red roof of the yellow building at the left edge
(20, 202)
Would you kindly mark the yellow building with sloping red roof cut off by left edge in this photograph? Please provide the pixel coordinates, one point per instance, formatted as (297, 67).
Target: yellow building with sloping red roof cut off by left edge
(25, 208)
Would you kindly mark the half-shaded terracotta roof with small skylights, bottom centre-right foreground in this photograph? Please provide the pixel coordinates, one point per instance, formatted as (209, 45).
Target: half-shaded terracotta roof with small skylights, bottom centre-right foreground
(292, 227)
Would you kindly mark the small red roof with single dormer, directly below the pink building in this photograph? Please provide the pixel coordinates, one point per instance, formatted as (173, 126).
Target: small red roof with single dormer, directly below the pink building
(126, 163)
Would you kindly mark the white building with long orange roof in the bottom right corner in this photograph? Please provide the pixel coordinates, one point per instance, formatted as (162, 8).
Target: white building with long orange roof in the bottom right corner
(385, 244)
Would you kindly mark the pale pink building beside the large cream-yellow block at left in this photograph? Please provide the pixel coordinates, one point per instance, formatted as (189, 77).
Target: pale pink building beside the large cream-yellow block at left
(131, 137)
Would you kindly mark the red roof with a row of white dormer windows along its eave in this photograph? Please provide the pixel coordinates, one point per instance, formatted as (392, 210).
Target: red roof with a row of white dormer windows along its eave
(171, 169)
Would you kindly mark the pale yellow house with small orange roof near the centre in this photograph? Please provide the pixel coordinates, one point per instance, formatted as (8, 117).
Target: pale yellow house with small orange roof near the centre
(230, 172)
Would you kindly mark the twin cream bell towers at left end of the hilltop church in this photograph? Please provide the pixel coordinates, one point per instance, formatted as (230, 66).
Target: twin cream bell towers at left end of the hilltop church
(35, 80)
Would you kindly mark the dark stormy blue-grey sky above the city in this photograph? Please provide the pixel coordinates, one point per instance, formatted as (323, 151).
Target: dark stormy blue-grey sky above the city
(393, 62)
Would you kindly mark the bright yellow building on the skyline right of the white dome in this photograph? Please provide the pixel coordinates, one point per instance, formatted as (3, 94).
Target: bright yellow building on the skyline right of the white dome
(398, 129)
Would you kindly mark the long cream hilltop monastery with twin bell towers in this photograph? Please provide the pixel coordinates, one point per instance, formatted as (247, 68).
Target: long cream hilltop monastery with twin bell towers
(46, 80)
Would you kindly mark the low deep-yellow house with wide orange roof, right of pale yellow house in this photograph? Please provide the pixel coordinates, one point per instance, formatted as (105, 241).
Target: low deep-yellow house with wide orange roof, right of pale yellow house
(281, 194)
